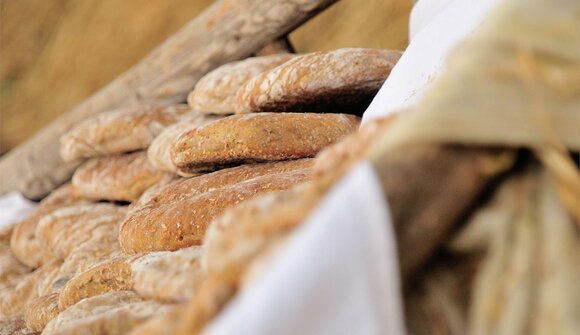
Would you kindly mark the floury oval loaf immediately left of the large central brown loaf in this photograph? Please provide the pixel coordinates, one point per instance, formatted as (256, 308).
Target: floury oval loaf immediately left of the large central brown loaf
(64, 229)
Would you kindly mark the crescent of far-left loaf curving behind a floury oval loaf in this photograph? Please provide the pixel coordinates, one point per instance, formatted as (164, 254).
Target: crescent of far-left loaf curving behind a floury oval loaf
(23, 241)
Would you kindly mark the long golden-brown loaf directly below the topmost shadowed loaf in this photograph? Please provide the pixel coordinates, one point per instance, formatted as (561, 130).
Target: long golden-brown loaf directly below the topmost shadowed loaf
(263, 137)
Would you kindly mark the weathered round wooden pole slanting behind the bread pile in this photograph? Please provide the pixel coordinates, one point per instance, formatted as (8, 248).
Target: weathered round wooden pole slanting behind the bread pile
(226, 31)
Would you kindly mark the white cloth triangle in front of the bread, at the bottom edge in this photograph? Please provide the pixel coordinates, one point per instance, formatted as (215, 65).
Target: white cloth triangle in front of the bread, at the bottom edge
(338, 275)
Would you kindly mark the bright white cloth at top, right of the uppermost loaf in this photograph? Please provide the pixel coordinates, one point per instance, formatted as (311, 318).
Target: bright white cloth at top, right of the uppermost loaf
(437, 25)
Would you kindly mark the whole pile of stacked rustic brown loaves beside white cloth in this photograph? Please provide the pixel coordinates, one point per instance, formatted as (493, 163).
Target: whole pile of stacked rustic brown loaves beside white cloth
(177, 207)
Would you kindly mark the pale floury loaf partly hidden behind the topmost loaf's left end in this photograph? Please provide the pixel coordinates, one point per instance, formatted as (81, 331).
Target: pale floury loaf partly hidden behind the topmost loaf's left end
(215, 93)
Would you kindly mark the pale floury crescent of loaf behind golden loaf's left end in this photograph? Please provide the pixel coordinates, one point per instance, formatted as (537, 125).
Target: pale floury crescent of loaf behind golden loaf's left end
(159, 152)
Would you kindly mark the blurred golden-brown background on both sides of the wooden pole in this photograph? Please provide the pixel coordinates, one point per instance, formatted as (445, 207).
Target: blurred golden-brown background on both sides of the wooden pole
(55, 53)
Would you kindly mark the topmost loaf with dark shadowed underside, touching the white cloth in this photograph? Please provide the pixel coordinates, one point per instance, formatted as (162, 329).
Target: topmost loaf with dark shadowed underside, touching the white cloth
(339, 81)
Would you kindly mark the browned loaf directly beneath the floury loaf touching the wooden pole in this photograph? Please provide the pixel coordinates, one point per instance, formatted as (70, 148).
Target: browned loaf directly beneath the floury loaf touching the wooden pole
(120, 177)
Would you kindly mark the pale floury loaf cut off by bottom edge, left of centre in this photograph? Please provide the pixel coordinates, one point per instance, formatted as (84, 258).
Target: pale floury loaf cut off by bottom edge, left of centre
(111, 313)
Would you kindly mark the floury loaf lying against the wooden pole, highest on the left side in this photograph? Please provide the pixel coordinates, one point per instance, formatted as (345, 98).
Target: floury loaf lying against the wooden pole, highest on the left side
(118, 131)
